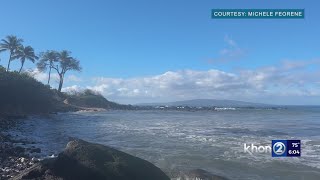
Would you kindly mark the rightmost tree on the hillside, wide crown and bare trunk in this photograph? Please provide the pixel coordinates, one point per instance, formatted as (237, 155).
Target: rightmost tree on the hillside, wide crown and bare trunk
(66, 63)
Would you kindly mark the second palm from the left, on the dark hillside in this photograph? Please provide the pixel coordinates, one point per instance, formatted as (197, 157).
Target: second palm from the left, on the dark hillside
(25, 53)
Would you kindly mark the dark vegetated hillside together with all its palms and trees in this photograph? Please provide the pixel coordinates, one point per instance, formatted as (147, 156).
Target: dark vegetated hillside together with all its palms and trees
(21, 94)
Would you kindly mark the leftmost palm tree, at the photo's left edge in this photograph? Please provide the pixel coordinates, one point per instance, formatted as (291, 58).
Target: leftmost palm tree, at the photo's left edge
(10, 43)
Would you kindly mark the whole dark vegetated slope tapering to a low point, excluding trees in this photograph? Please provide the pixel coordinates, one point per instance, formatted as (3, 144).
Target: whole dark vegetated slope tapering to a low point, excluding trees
(21, 94)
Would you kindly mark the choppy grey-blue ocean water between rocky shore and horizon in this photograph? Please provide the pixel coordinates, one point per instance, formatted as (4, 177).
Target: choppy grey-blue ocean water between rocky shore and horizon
(180, 140)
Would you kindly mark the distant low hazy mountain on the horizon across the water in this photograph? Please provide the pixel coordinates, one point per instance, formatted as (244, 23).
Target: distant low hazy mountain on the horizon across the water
(207, 103)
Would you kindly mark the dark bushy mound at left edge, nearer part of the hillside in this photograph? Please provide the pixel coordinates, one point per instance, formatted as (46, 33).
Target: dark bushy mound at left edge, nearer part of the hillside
(21, 94)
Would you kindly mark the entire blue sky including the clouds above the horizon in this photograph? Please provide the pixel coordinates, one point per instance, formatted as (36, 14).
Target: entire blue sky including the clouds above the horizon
(121, 42)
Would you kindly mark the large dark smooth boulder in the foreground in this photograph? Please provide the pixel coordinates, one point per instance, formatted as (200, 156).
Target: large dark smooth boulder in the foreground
(82, 160)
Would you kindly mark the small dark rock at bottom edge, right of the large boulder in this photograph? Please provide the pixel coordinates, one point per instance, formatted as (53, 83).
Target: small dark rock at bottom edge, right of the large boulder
(199, 174)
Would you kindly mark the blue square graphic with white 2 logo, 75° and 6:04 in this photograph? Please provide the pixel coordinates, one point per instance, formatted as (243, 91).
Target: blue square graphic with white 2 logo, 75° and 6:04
(286, 148)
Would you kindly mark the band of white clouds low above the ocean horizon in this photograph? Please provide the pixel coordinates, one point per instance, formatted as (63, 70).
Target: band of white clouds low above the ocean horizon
(287, 83)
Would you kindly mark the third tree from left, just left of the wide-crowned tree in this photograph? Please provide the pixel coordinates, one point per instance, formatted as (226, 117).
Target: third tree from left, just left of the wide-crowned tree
(47, 60)
